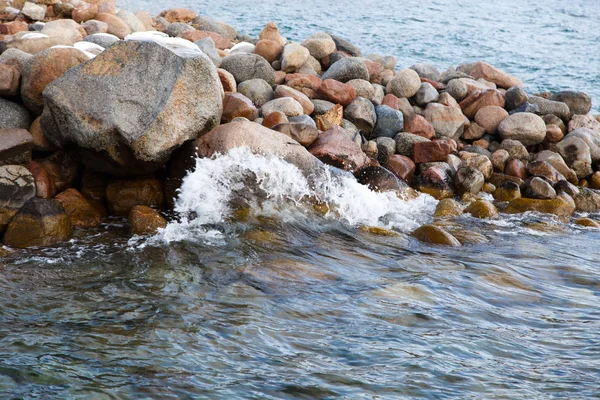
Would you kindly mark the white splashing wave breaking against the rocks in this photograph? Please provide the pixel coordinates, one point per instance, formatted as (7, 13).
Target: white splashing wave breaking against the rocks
(272, 187)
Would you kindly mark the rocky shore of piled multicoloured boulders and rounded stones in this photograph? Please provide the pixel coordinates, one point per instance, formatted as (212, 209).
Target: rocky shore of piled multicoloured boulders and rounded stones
(102, 112)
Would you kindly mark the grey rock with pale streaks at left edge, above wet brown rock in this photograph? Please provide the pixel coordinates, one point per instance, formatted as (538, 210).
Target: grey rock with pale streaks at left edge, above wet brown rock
(17, 186)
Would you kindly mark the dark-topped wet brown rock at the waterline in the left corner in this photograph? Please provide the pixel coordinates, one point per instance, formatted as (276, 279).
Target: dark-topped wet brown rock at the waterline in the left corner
(40, 222)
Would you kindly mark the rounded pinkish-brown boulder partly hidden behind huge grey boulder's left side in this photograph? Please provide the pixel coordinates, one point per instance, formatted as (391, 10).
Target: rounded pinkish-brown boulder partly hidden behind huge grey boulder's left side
(43, 69)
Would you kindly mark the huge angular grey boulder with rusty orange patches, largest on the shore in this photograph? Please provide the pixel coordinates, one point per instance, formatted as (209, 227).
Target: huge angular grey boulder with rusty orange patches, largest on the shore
(122, 130)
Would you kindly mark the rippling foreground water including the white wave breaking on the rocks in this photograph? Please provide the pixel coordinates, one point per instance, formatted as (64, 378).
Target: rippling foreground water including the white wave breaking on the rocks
(281, 301)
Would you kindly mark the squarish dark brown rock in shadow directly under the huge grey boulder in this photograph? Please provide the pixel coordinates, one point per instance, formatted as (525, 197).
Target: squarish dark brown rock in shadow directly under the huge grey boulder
(123, 194)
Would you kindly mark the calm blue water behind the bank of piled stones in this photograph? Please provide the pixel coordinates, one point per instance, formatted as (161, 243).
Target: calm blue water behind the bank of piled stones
(549, 44)
